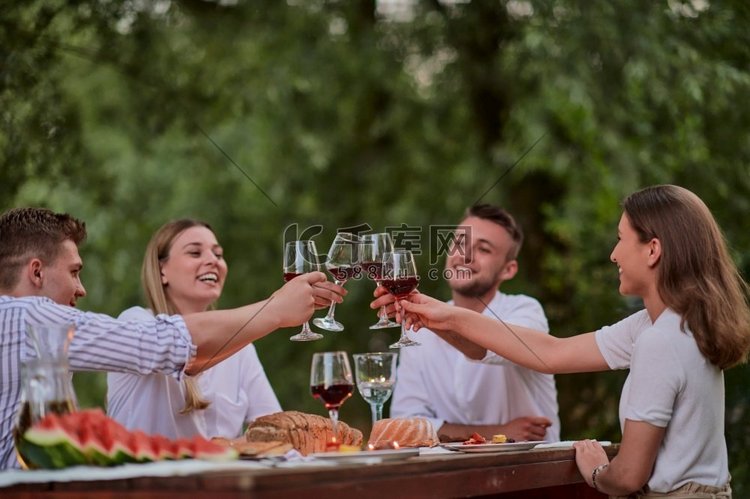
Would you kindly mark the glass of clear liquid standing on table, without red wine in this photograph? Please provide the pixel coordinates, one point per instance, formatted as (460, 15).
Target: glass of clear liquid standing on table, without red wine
(376, 375)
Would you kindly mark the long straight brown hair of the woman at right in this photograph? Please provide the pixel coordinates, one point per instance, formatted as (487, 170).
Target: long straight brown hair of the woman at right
(696, 276)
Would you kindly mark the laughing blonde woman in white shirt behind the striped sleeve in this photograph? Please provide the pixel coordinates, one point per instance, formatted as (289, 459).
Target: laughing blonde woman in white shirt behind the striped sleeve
(183, 272)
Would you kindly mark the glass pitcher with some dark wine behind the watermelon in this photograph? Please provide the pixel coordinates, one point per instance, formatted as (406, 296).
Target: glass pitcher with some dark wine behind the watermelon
(46, 385)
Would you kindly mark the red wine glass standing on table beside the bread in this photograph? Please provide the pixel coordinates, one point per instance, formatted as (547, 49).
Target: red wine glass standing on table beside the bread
(331, 382)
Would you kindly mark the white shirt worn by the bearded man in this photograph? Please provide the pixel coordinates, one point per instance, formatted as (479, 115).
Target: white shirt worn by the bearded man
(438, 382)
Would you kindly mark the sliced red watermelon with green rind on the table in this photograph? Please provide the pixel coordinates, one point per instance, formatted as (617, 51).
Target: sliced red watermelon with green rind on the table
(90, 437)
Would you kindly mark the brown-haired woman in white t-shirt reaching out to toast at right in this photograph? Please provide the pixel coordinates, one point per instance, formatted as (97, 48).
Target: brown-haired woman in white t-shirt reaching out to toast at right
(696, 323)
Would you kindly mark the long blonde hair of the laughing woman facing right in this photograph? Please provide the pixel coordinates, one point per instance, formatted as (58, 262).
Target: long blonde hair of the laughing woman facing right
(157, 252)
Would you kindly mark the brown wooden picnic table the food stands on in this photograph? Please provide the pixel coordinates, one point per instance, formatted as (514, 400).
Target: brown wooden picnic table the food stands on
(526, 474)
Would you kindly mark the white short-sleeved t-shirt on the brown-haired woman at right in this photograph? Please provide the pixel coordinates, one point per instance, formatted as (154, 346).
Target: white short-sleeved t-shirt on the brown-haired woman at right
(671, 385)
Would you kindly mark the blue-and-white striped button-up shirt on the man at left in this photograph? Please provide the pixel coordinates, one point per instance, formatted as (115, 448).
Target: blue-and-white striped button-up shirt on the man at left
(100, 343)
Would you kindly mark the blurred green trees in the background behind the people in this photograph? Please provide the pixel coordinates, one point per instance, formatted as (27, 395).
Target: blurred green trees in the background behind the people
(257, 115)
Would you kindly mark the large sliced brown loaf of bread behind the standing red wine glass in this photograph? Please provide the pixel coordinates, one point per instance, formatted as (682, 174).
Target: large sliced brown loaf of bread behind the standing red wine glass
(307, 433)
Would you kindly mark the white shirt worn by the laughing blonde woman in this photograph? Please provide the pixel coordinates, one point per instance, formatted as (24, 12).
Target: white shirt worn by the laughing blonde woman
(237, 388)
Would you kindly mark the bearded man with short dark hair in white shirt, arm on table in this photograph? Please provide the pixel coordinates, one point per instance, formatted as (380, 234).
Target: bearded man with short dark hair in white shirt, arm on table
(492, 396)
